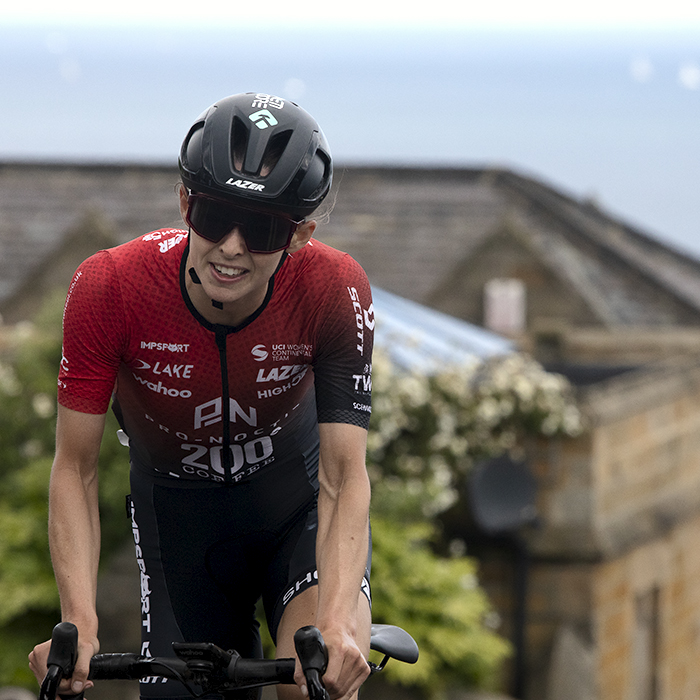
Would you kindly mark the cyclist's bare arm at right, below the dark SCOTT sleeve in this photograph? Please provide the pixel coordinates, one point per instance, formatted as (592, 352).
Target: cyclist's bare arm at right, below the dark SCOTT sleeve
(343, 508)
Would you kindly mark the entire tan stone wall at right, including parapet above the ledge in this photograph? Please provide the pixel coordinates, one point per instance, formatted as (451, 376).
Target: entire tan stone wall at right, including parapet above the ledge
(615, 569)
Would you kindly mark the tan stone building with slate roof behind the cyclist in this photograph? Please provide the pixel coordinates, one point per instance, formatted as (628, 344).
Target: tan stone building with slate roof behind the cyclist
(613, 593)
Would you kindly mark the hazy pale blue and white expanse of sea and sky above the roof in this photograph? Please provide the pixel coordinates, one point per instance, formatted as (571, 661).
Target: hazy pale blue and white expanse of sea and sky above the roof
(597, 98)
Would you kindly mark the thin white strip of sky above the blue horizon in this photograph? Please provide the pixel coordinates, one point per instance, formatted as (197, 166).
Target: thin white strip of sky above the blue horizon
(365, 14)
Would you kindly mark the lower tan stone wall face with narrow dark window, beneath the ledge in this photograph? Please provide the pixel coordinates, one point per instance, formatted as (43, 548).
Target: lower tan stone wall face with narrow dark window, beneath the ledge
(646, 614)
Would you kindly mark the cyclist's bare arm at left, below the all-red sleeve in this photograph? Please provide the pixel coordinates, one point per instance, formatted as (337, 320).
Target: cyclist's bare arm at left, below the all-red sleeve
(74, 533)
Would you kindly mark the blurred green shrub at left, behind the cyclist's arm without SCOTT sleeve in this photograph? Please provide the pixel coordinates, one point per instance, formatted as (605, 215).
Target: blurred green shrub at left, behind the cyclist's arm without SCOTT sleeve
(29, 605)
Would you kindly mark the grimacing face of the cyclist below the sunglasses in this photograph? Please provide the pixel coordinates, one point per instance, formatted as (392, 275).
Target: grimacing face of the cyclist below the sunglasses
(231, 274)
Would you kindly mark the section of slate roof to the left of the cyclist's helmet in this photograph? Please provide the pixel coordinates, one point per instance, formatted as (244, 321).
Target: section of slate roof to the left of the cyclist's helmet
(43, 204)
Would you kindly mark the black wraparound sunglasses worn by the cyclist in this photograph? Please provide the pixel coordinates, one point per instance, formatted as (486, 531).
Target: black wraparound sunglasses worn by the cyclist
(263, 233)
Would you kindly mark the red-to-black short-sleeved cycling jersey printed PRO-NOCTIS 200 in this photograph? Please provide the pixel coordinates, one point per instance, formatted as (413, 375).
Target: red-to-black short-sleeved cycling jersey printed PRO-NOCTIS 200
(202, 402)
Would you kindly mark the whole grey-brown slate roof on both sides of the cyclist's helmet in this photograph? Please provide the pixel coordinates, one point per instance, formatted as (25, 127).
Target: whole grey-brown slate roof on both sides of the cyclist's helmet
(413, 230)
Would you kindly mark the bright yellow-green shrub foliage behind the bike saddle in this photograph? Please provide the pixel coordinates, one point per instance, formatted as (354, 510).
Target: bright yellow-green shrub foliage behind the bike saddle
(439, 602)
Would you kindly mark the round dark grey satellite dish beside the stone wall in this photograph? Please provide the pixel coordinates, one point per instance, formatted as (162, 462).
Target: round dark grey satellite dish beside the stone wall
(502, 495)
